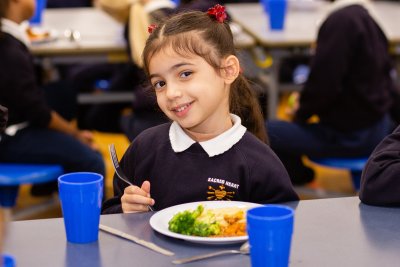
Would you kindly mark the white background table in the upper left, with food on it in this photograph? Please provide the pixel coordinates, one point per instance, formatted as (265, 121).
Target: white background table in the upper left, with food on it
(101, 36)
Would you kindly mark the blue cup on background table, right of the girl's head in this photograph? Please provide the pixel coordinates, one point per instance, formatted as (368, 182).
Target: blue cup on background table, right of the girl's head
(276, 13)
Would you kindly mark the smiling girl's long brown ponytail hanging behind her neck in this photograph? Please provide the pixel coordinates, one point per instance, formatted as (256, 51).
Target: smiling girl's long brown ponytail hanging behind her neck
(244, 103)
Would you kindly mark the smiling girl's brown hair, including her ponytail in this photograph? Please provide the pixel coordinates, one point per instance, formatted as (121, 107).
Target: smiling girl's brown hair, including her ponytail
(200, 34)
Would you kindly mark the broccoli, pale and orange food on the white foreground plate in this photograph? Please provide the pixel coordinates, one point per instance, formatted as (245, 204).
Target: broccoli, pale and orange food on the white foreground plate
(216, 222)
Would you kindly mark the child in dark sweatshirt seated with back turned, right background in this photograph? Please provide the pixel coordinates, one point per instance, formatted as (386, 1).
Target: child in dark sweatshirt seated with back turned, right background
(349, 90)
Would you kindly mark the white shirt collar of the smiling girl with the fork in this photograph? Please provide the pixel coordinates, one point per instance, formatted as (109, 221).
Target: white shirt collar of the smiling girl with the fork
(180, 141)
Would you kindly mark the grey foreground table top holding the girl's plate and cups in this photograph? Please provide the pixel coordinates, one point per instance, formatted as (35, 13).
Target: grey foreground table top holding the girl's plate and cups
(327, 232)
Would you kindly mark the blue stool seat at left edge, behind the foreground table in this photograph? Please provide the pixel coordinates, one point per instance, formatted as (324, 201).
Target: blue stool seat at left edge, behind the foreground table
(13, 175)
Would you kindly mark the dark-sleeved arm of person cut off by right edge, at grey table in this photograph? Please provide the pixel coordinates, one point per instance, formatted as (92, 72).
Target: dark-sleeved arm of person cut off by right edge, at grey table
(380, 178)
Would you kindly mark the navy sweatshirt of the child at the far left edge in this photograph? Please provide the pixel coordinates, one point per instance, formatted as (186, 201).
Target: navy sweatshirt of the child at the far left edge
(19, 91)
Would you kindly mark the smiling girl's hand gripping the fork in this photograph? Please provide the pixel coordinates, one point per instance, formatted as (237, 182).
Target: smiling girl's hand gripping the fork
(137, 198)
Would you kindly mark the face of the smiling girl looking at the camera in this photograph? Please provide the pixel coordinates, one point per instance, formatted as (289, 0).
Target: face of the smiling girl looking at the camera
(190, 91)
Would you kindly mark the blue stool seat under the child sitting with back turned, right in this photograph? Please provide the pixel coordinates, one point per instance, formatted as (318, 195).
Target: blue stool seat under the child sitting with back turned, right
(354, 165)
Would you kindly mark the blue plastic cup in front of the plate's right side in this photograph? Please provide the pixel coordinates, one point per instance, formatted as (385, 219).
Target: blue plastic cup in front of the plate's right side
(270, 229)
